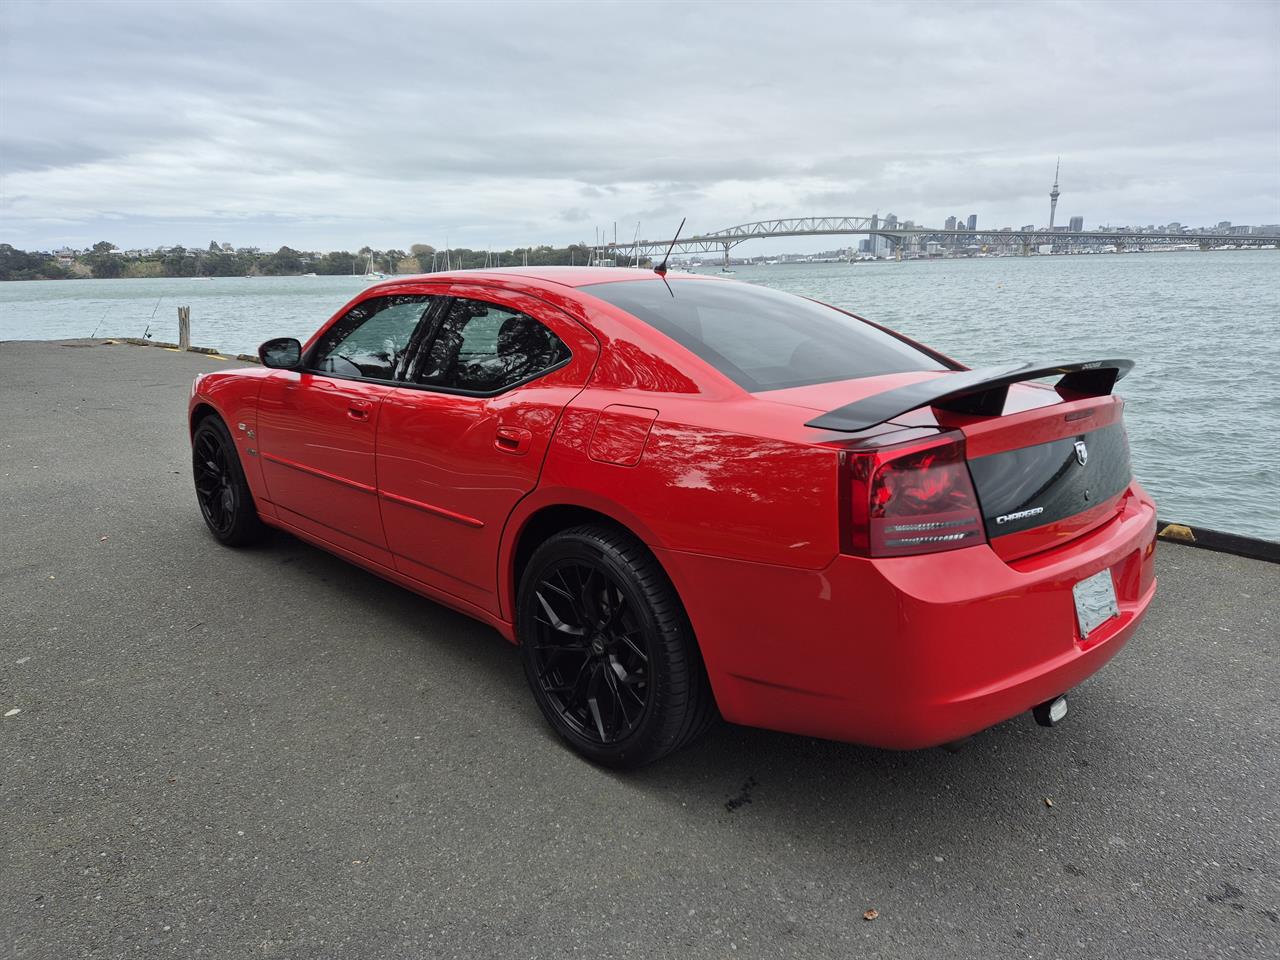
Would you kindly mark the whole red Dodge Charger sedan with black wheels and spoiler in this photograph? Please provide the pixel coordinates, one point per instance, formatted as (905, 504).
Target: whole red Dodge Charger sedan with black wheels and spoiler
(688, 496)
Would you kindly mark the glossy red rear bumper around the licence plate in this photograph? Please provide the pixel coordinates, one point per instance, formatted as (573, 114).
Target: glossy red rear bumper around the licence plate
(912, 652)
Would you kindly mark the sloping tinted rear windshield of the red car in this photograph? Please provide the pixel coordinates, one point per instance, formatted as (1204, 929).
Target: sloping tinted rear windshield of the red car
(764, 340)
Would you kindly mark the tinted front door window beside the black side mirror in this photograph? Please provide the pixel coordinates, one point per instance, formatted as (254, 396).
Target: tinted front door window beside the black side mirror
(372, 341)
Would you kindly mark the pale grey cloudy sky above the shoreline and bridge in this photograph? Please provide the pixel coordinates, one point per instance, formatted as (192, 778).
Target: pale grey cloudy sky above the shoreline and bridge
(492, 125)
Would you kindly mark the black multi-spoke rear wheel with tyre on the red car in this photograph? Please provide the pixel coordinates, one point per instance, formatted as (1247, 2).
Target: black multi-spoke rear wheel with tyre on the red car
(609, 651)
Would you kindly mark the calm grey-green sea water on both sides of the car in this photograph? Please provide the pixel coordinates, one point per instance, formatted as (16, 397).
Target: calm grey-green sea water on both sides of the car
(1204, 412)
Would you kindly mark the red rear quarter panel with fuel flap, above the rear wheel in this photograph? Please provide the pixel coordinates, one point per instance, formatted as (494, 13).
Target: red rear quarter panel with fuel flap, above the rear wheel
(721, 473)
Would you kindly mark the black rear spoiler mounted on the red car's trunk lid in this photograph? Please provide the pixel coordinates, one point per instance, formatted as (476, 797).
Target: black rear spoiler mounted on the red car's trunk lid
(980, 392)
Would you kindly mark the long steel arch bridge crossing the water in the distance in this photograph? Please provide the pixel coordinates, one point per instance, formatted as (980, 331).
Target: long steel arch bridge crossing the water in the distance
(725, 240)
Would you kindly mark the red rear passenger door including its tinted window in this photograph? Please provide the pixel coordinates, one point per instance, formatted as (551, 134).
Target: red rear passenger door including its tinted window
(465, 441)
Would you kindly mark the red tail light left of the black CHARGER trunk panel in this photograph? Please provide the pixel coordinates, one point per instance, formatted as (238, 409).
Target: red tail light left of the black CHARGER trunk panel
(902, 502)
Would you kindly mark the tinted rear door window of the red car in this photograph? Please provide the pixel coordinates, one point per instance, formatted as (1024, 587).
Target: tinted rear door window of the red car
(483, 348)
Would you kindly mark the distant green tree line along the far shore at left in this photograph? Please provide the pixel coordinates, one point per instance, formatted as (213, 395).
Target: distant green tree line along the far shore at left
(104, 260)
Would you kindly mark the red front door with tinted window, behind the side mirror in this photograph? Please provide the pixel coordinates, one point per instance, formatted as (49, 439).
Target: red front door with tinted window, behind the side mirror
(318, 427)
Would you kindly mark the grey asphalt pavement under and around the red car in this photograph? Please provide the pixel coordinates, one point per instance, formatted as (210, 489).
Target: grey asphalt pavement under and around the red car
(213, 753)
